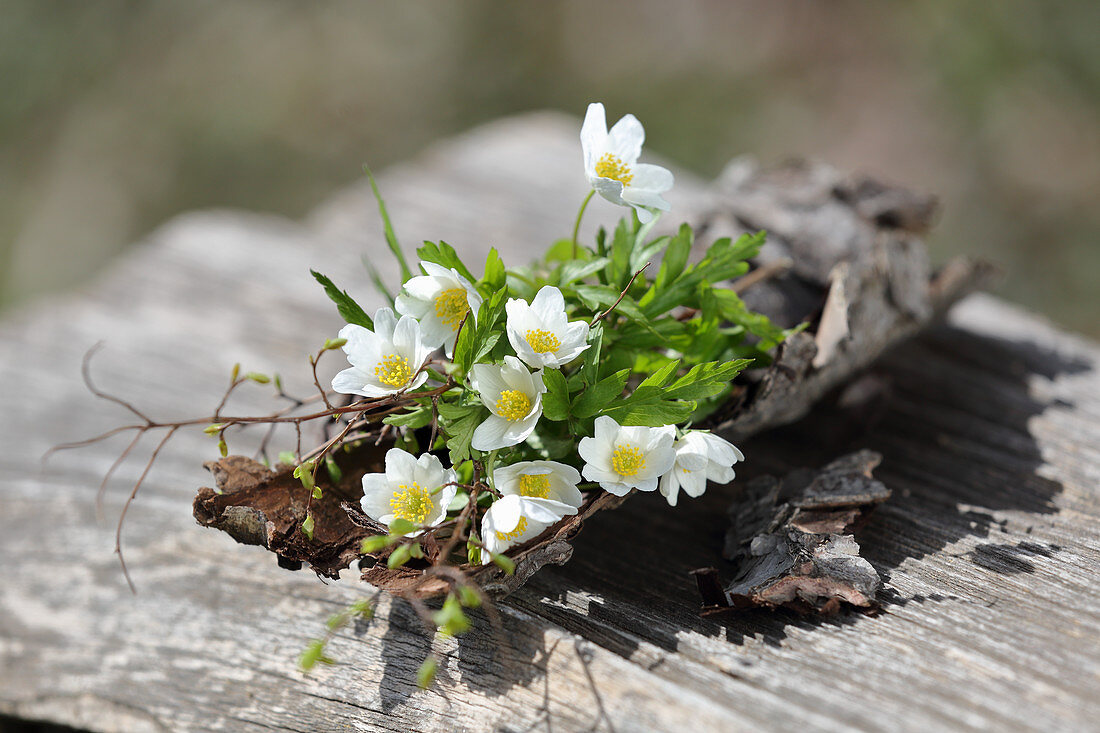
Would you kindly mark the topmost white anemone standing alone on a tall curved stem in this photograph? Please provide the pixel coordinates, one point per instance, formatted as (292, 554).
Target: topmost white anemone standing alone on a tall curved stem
(611, 165)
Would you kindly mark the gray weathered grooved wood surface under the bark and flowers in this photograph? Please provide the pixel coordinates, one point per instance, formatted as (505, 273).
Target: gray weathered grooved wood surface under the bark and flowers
(989, 428)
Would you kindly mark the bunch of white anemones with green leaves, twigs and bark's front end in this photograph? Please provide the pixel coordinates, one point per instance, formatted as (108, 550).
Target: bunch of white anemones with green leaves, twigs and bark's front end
(482, 418)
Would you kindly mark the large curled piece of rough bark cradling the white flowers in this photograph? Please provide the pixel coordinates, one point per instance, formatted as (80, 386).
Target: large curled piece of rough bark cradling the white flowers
(859, 278)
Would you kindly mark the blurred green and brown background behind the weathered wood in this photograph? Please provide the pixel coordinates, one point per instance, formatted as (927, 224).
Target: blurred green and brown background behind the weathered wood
(117, 115)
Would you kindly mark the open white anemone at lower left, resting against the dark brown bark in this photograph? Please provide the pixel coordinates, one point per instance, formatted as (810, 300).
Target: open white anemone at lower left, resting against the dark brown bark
(419, 490)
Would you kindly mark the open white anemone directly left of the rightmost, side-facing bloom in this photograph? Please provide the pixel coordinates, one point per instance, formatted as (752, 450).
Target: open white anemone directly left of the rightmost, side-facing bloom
(622, 458)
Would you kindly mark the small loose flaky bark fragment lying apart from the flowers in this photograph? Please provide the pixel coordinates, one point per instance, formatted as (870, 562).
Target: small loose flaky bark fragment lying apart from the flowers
(793, 544)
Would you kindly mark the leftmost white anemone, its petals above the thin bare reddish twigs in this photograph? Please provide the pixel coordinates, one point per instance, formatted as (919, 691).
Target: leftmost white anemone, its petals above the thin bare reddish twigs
(383, 362)
